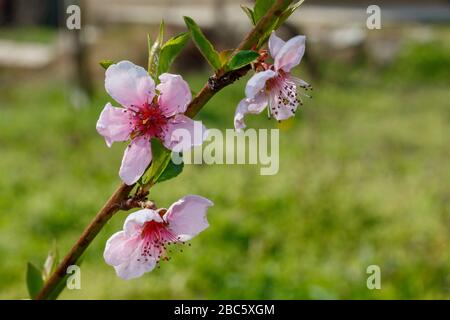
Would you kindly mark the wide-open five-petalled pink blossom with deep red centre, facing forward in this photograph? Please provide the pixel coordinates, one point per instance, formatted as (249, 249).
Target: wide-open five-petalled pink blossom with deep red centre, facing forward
(147, 112)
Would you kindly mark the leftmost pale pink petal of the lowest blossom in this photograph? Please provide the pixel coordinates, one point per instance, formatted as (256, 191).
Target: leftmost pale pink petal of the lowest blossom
(119, 247)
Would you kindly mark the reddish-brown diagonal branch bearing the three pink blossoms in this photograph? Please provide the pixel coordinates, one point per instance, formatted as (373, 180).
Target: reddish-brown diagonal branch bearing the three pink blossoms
(120, 198)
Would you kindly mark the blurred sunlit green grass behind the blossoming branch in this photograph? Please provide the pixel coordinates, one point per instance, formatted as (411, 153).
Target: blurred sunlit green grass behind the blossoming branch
(364, 179)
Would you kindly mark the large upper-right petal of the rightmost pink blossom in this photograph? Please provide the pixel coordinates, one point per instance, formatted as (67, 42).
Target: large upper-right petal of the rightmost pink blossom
(290, 54)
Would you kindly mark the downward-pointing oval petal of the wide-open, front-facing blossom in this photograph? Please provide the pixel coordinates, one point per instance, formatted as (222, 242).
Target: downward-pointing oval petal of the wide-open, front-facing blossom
(135, 160)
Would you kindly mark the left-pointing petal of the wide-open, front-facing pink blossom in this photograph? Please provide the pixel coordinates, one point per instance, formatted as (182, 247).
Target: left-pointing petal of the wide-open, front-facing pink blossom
(113, 124)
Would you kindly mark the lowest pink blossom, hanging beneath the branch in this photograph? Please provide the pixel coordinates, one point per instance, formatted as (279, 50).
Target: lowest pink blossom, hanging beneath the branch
(147, 233)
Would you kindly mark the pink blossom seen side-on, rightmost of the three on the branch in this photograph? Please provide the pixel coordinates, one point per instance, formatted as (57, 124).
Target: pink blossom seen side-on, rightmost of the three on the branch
(275, 86)
